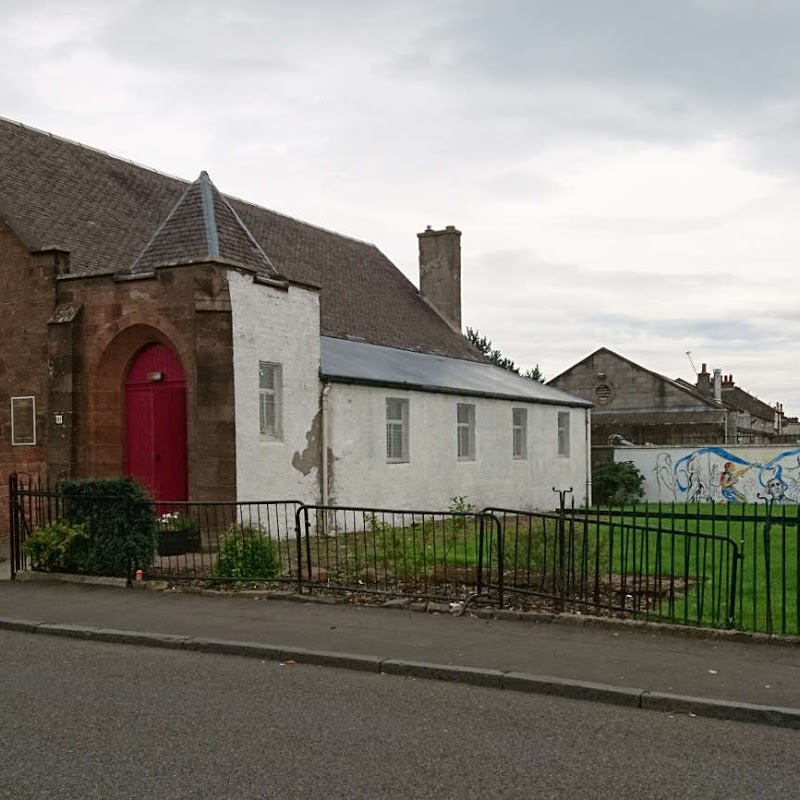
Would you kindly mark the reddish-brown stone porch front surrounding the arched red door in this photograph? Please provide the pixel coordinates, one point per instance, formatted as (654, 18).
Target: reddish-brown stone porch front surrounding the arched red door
(185, 308)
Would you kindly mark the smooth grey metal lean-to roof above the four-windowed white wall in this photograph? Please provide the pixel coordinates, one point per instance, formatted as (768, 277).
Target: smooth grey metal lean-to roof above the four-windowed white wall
(347, 361)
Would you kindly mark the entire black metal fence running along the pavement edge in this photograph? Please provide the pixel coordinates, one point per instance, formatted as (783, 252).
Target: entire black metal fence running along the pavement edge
(725, 566)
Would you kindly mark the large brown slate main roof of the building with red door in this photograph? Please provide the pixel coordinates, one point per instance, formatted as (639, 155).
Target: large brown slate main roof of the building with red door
(111, 215)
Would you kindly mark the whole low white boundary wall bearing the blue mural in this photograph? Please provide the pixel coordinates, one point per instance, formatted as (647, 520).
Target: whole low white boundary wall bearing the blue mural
(723, 474)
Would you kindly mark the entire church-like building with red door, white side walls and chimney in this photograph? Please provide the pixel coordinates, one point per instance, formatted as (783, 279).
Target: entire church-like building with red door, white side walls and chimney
(218, 350)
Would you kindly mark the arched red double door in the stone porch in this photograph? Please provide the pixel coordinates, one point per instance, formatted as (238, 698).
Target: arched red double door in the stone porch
(155, 423)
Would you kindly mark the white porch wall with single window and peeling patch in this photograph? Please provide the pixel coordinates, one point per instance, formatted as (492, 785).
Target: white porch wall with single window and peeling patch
(282, 327)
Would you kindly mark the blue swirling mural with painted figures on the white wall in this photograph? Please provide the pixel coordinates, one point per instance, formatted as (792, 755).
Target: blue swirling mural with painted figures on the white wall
(716, 474)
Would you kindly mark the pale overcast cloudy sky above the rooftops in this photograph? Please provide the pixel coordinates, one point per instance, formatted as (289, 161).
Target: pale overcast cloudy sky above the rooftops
(625, 173)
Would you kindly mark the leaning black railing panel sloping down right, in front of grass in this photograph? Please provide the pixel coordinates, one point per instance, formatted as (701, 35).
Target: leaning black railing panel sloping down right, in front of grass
(605, 562)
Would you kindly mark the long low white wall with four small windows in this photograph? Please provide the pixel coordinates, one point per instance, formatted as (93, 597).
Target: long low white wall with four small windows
(361, 475)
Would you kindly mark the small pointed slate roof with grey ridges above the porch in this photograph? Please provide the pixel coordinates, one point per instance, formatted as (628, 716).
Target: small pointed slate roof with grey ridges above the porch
(203, 227)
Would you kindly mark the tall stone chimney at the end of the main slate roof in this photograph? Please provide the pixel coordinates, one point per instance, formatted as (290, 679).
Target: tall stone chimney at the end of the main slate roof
(440, 272)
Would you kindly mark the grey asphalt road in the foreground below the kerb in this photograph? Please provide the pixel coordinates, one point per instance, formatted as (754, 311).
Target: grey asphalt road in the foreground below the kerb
(92, 720)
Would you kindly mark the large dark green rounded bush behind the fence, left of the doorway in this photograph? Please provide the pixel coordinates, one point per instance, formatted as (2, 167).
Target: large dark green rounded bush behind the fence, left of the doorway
(120, 520)
